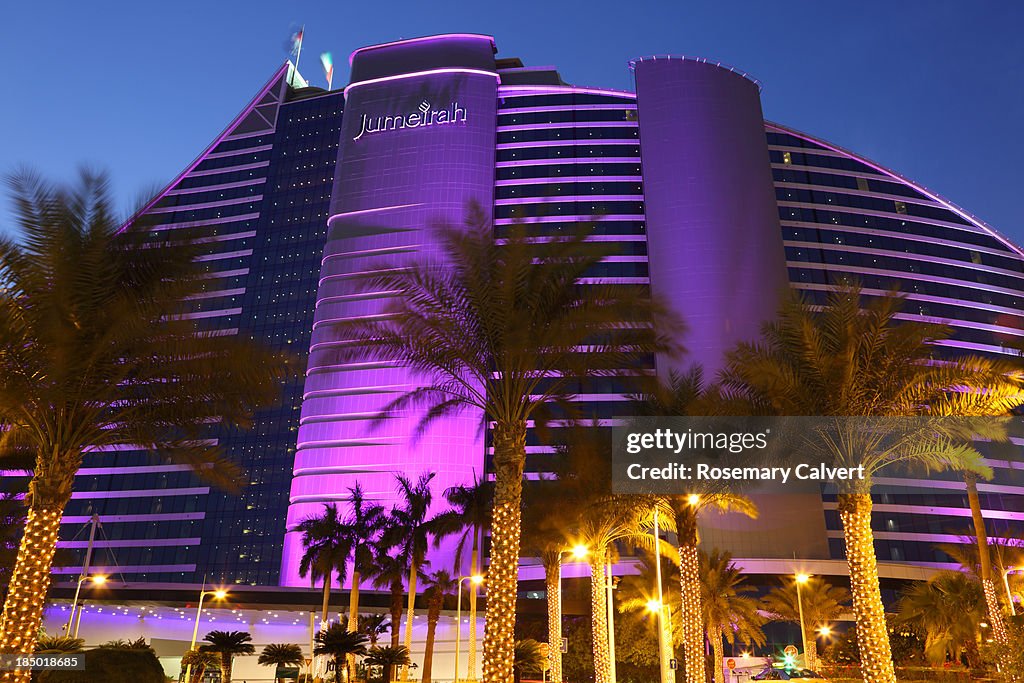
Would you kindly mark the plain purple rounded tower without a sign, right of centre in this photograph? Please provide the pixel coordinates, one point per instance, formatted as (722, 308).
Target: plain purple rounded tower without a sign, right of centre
(713, 231)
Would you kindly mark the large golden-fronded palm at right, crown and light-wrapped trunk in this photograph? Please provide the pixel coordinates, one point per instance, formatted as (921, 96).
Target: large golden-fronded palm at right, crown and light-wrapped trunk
(844, 361)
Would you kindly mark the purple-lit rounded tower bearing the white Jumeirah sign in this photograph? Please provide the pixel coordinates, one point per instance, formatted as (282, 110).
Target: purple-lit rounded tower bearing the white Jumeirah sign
(417, 147)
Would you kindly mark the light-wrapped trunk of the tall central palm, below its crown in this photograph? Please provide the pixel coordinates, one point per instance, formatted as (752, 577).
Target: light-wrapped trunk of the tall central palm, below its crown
(503, 576)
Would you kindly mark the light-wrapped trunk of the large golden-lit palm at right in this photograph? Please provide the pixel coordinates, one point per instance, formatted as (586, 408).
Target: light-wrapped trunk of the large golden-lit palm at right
(873, 634)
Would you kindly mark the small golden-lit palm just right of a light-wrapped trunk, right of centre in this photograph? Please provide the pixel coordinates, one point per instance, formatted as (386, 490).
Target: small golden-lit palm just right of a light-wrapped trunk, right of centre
(730, 611)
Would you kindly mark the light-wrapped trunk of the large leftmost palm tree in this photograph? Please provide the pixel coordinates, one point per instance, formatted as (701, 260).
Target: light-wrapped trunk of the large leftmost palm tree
(23, 611)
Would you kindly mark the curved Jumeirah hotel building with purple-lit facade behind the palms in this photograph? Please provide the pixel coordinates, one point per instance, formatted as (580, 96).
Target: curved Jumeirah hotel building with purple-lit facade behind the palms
(697, 196)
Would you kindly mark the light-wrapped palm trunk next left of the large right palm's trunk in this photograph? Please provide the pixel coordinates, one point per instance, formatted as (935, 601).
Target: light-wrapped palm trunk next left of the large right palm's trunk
(690, 587)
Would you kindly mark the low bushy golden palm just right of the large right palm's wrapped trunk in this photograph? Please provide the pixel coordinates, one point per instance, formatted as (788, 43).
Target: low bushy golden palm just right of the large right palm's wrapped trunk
(949, 610)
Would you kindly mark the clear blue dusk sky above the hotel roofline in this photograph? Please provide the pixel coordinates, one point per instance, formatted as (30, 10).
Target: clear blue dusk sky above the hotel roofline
(933, 90)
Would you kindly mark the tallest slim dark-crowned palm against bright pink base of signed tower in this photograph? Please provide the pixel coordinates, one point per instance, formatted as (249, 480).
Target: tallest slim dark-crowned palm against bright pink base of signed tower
(409, 529)
